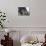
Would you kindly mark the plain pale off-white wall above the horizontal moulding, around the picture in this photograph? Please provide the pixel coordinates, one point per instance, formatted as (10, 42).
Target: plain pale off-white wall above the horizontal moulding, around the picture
(36, 19)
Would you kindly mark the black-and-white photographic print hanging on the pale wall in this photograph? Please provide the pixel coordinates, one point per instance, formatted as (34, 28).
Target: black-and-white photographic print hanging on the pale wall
(23, 11)
